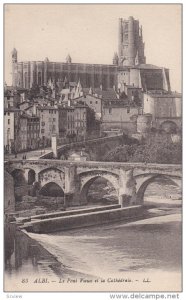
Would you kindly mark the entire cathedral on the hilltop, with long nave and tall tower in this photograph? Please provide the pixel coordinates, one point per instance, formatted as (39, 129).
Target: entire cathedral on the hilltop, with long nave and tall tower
(128, 67)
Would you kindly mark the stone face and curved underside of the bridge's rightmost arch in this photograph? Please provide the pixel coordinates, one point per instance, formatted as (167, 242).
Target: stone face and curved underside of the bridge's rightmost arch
(143, 181)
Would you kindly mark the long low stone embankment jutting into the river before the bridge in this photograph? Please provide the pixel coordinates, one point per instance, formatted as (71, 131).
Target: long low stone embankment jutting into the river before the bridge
(82, 218)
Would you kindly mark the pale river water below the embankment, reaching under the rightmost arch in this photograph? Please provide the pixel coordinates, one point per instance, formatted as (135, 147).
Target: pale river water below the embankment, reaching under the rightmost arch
(154, 243)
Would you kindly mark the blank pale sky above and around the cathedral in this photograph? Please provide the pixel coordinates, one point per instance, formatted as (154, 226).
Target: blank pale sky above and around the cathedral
(89, 33)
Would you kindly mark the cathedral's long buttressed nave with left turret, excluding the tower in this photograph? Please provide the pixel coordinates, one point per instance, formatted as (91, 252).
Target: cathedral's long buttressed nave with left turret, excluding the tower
(27, 74)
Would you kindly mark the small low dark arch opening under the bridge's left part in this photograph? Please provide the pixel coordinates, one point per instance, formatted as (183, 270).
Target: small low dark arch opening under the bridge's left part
(51, 189)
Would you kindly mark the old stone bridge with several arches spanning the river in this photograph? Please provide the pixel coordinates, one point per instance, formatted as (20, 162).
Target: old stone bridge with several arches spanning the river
(130, 180)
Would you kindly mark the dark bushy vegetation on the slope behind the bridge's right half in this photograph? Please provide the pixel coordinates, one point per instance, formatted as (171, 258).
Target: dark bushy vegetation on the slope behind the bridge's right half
(156, 148)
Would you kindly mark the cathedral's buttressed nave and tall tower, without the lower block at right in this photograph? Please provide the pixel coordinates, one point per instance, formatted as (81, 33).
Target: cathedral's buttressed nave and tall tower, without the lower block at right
(131, 52)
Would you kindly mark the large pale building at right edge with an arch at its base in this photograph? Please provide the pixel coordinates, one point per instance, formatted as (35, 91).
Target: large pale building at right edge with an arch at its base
(165, 108)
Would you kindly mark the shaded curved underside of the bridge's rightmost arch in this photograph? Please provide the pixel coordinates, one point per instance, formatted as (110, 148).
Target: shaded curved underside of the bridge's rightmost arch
(141, 191)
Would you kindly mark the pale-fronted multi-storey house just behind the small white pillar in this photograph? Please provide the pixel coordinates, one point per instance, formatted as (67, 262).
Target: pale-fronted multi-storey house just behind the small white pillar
(48, 123)
